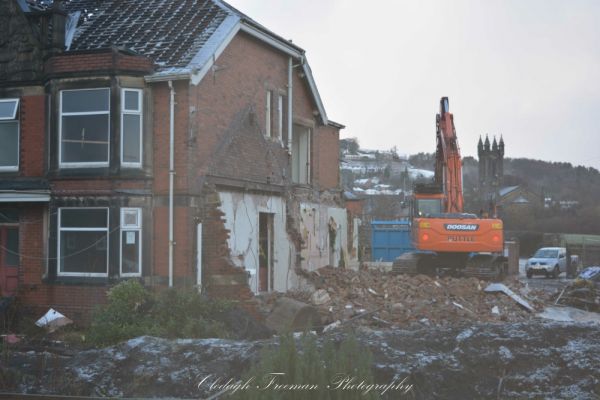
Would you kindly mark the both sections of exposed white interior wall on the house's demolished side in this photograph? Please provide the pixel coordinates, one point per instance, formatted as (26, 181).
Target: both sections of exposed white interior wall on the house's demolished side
(242, 220)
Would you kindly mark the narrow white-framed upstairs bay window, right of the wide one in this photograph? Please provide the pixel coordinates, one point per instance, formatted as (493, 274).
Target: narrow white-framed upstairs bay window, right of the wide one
(131, 128)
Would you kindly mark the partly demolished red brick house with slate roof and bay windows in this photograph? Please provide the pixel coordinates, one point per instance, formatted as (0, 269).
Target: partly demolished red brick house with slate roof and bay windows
(178, 143)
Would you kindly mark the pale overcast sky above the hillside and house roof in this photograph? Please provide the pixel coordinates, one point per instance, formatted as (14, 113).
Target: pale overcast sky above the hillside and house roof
(526, 69)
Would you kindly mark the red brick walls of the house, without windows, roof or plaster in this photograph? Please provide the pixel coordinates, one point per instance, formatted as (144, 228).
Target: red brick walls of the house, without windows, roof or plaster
(219, 128)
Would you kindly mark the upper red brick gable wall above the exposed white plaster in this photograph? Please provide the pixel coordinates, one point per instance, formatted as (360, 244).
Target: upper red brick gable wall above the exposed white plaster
(230, 112)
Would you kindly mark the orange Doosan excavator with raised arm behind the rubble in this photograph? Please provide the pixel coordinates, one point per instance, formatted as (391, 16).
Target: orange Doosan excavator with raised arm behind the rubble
(445, 238)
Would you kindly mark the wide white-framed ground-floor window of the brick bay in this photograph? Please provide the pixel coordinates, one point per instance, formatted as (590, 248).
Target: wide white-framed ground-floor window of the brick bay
(83, 241)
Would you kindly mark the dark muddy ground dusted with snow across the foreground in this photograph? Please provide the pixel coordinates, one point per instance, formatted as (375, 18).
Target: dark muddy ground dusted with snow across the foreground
(512, 360)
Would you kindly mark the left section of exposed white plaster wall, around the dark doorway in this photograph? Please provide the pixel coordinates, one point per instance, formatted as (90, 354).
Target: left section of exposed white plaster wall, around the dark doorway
(241, 219)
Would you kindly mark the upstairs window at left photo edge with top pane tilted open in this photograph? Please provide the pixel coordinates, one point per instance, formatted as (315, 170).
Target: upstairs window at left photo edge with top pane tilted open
(9, 135)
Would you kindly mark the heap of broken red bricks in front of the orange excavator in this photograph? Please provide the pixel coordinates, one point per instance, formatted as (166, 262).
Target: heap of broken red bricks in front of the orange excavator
(369, 297)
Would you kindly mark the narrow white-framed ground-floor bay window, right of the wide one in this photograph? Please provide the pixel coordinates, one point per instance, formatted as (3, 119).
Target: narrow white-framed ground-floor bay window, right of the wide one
(131, 241)
